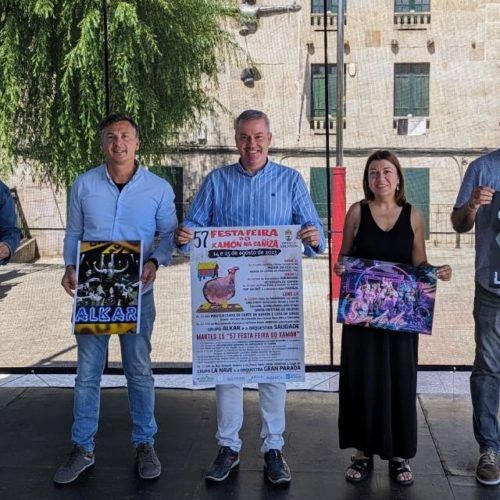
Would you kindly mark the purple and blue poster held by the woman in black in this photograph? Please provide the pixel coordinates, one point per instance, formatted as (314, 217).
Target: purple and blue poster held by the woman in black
(386, 295)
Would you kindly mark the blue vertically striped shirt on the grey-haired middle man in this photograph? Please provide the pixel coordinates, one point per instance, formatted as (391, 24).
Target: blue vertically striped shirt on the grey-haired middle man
(275, 196)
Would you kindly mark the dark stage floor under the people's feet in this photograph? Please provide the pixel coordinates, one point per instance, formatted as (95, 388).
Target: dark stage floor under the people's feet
(35, 424)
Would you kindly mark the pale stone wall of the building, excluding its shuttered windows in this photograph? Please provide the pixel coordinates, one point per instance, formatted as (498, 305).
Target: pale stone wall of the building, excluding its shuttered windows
(464, 59)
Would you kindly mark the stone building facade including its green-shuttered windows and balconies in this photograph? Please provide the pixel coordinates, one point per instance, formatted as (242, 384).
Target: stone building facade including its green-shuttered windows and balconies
(421, 79)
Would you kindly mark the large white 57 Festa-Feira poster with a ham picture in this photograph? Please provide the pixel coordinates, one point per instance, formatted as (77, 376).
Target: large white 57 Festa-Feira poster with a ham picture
(246, 298)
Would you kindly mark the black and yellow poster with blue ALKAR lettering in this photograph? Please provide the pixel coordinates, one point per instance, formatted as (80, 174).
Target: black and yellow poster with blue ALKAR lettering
(108, 295)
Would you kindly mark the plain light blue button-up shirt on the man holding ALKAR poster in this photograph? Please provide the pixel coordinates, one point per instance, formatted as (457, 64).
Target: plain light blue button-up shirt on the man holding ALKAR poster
(98, 211)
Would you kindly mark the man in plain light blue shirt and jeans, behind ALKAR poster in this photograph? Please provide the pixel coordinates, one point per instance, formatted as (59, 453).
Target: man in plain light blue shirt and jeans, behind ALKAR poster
(119, 200)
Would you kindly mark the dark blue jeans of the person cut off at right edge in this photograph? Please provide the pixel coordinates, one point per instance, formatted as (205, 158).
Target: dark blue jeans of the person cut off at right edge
(485, 377)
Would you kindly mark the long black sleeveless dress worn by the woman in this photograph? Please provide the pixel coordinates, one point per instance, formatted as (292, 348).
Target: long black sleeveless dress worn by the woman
(378, 368)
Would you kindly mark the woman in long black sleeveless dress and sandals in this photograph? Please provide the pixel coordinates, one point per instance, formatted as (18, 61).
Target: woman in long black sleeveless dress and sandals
(378, 368)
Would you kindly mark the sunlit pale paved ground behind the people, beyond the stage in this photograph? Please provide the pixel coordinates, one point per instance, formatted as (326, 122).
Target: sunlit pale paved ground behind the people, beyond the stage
(35, 315)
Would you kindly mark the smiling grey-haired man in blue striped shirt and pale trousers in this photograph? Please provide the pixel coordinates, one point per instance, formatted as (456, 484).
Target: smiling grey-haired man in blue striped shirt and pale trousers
(253, 192)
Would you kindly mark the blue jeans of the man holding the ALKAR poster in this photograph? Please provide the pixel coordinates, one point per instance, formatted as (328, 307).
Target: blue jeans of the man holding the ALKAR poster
(136, 361)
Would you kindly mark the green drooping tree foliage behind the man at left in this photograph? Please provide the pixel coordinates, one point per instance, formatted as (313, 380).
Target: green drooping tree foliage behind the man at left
(164, 56)
